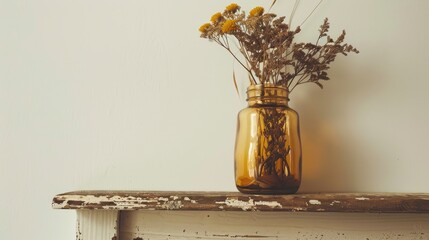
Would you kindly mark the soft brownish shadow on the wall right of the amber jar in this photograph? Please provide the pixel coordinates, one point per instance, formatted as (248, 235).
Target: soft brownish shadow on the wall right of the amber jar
(331, 135)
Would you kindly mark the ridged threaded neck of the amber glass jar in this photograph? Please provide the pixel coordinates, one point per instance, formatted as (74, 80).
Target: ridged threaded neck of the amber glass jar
(267, 95)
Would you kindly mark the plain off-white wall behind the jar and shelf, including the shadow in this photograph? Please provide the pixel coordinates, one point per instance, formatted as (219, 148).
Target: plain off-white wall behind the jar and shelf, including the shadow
(125, 95)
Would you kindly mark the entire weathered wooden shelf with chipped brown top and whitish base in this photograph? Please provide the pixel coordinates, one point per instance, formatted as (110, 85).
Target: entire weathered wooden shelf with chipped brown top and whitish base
(126, 215)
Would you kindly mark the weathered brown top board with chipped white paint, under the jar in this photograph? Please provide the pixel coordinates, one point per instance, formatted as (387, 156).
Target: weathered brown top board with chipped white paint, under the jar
(234, 201)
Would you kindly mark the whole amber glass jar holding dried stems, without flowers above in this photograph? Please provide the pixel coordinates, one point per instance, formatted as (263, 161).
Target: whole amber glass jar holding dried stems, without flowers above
(268, 145)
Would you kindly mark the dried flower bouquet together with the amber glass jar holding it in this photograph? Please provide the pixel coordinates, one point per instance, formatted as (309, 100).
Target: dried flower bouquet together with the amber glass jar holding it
(272, 58)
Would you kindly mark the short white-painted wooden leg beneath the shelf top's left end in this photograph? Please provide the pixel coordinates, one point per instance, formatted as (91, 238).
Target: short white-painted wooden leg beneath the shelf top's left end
(97, 225)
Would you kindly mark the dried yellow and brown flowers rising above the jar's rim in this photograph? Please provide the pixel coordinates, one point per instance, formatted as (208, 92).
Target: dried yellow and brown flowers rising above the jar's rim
(267, 44)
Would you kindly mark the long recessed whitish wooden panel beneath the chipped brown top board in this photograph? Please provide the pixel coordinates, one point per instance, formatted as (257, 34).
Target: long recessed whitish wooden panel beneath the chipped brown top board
(155, 225)
